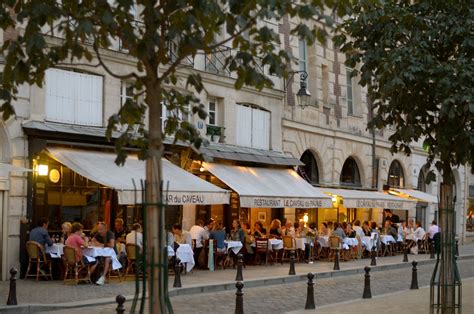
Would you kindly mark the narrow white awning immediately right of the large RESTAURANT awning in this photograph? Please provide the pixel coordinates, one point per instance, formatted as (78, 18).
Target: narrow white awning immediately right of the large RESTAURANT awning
(370, 199)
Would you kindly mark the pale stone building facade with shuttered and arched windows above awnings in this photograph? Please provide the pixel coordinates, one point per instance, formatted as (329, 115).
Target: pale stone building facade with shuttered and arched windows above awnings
(330, 136)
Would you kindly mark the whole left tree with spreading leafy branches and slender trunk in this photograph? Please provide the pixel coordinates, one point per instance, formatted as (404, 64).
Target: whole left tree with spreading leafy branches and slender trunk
(158, 36)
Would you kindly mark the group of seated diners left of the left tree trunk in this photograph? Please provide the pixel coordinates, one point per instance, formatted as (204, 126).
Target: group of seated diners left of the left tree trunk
(73, 235)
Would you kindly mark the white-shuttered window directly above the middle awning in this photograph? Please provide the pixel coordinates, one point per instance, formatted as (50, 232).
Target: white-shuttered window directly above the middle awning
(253, 127)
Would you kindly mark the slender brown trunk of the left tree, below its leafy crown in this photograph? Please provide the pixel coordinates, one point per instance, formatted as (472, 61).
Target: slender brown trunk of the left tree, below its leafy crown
(154, 222)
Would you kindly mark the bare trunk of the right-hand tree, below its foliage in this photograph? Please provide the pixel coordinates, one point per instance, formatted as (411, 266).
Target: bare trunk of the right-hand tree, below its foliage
(447, 262)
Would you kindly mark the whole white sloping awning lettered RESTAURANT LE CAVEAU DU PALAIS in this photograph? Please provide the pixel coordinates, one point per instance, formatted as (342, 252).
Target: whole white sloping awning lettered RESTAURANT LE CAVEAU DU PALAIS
(269, 188)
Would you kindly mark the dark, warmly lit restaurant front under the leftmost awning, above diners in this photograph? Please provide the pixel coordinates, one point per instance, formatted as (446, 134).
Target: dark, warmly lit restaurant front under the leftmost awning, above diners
(61, 194)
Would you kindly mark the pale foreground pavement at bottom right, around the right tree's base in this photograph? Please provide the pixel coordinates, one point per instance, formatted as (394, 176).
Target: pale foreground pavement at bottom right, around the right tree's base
(411, 301)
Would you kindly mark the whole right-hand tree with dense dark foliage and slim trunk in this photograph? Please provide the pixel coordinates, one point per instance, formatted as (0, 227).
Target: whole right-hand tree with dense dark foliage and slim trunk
(417, 60)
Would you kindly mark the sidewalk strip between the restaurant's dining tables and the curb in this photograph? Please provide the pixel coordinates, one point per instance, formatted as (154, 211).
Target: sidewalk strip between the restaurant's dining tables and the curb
(201, 281)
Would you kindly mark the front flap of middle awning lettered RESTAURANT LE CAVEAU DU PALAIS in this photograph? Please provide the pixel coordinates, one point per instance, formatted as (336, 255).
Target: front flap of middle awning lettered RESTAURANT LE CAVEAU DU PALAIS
(278, 202)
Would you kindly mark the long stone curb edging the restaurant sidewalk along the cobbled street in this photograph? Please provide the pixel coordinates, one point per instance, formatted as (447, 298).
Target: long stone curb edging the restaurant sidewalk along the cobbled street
(225, 286)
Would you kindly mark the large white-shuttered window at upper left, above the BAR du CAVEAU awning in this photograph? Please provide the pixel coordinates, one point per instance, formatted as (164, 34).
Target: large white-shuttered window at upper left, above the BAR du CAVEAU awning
(73, 97)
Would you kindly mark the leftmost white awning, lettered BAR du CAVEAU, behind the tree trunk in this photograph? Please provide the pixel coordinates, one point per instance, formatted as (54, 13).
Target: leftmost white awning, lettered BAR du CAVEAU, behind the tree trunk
(183, 187)
